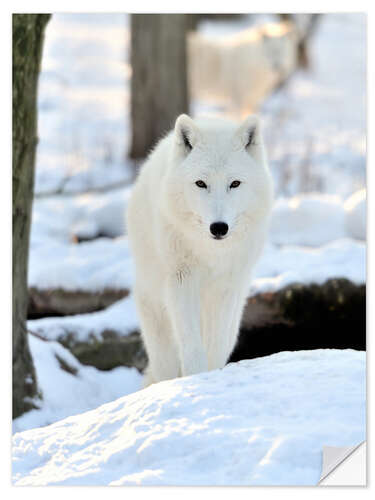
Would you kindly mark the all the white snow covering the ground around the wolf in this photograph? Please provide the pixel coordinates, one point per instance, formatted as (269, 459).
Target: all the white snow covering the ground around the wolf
(240, 425)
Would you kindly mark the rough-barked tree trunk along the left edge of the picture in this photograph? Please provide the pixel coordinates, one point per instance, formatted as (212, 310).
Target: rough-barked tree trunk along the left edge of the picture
(28, 32)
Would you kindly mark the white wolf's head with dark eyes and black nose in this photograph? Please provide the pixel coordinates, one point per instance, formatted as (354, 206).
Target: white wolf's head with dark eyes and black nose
(218, 183)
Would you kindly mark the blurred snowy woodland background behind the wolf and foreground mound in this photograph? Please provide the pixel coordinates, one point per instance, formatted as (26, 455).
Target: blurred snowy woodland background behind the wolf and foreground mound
(110, 86)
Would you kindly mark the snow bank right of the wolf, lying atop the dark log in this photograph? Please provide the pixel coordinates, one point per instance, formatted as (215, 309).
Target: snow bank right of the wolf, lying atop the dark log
(311, 241)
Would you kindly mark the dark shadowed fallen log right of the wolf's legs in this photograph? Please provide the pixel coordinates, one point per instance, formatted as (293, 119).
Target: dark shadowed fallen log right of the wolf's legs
(304, 317)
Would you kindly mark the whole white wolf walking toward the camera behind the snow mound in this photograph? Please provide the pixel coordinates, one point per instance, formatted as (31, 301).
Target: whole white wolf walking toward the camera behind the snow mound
(197, 221)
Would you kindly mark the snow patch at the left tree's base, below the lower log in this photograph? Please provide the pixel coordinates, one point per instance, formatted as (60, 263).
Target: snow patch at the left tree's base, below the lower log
(70, 393)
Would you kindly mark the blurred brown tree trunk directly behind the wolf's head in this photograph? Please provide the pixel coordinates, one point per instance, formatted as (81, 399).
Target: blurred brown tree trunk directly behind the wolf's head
(159, 77)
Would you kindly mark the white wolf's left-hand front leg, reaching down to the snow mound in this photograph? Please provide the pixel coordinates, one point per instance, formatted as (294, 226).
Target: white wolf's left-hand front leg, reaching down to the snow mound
(184, 309)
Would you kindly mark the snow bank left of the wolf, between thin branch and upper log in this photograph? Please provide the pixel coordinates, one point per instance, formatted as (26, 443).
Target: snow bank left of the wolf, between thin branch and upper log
(56, 261)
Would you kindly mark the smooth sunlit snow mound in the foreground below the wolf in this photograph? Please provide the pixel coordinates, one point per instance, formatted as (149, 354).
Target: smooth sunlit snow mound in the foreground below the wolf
(236, 426)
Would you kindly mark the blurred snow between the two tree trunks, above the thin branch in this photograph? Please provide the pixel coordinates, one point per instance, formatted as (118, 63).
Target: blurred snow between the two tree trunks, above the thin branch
(84, 112)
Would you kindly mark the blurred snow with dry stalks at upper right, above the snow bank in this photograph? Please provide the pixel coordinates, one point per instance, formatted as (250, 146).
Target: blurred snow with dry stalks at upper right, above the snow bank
(315, 126)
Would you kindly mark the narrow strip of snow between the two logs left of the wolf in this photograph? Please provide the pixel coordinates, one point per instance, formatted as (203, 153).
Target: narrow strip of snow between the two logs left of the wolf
(120, 317)
